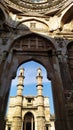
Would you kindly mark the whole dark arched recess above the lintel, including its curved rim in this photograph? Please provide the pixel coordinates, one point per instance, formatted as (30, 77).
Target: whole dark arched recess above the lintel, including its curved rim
(32, 40)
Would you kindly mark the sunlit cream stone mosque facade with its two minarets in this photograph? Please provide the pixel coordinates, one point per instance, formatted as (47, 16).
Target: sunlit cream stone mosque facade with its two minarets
(29, 112)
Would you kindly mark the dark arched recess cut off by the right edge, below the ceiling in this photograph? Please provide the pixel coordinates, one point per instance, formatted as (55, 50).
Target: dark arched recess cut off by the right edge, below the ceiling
(70, 57)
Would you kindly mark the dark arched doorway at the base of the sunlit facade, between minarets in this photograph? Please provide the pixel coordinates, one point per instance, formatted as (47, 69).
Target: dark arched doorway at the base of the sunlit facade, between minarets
(29, 123)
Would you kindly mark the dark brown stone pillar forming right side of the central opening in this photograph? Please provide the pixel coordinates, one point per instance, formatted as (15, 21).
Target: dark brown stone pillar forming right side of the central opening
(58, 94)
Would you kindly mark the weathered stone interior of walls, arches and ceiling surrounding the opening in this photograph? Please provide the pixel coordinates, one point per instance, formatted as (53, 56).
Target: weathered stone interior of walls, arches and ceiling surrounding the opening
(43, 33)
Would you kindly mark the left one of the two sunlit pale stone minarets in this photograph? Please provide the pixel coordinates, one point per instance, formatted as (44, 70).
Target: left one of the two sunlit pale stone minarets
(17, 118)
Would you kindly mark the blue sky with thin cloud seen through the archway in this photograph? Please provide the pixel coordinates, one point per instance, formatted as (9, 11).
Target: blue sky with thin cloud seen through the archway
(30, 82)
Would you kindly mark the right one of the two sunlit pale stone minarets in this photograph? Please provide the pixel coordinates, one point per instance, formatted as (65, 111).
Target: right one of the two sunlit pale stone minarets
(40, 102)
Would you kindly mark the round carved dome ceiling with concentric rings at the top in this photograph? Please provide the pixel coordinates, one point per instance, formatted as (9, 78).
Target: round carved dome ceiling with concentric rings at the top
(40, 6)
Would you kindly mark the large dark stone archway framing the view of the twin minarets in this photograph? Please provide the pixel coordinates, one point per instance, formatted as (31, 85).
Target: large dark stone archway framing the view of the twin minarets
(36, 47)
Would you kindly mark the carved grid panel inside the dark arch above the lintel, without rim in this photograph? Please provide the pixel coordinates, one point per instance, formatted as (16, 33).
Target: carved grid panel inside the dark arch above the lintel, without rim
(33, 42)
